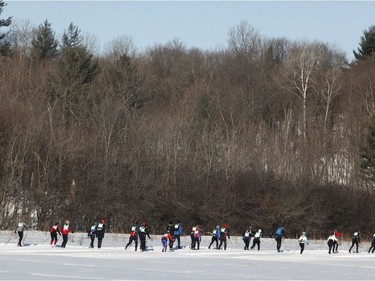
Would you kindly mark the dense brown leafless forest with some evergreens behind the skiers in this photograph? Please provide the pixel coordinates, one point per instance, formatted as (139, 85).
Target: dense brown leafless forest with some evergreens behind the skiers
(264, 131)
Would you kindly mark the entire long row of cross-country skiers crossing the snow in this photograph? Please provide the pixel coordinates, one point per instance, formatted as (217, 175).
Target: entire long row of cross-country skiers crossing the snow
(220, 236)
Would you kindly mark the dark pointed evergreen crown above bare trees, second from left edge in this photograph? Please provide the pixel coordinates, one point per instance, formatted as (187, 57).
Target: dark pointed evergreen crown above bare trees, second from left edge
(44, 42)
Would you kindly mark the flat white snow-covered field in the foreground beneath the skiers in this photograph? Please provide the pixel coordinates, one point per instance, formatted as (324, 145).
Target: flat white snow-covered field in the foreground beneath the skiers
(37, 260)
